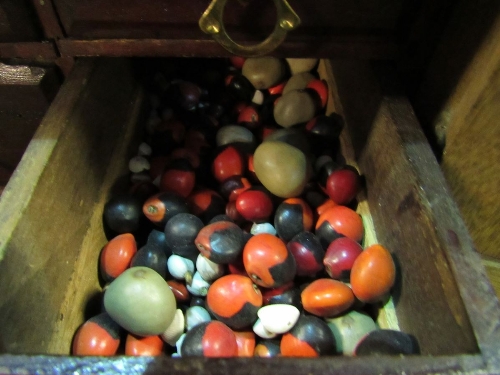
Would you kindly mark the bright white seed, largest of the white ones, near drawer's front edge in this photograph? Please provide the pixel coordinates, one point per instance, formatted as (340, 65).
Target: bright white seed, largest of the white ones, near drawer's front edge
(278, 318)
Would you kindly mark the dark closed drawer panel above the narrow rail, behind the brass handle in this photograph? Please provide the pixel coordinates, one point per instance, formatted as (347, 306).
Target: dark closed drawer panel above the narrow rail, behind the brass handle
(244, 20)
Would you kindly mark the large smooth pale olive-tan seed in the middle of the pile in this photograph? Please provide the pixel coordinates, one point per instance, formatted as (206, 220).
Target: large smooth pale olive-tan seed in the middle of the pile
(281, 168)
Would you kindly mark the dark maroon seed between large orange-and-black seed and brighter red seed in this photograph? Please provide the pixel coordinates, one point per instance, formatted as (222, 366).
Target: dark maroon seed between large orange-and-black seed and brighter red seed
(307, 252)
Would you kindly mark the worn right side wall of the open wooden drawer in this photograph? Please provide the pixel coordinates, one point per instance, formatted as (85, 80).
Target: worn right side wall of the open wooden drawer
(449, 304)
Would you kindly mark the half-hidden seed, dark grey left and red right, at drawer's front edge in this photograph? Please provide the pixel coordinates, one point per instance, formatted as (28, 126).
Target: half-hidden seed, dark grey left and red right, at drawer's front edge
(210, 339)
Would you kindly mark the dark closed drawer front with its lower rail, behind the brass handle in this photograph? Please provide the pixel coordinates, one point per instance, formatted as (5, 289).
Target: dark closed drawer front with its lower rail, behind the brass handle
(365, 29)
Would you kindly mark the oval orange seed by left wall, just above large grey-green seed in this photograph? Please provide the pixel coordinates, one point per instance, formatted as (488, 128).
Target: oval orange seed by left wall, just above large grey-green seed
(116, 255)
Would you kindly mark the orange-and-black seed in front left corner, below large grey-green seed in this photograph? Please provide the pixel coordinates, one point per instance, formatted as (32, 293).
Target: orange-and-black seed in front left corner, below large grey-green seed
(98, 336)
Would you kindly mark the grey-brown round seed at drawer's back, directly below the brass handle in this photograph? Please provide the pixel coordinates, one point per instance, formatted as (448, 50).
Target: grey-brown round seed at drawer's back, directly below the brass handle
(263, 72)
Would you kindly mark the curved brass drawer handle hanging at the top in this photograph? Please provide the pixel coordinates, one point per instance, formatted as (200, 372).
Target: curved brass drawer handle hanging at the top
(211, 23)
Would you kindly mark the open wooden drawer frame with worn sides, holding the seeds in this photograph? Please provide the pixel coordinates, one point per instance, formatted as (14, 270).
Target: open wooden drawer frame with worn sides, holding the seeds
(52, 233)
